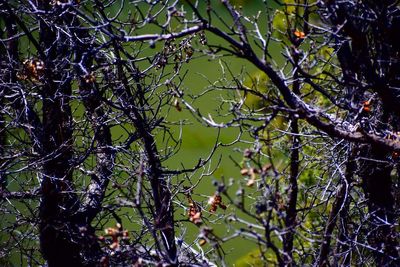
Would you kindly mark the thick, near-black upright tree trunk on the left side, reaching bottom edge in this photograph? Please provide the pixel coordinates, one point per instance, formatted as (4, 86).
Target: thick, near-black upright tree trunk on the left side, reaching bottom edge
(60, 237)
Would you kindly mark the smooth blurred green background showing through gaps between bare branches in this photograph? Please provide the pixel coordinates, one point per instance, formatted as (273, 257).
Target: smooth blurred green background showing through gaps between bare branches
(198, 140)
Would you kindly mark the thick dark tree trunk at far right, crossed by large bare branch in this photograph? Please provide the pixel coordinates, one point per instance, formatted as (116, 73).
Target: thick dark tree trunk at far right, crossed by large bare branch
(365, 58)
